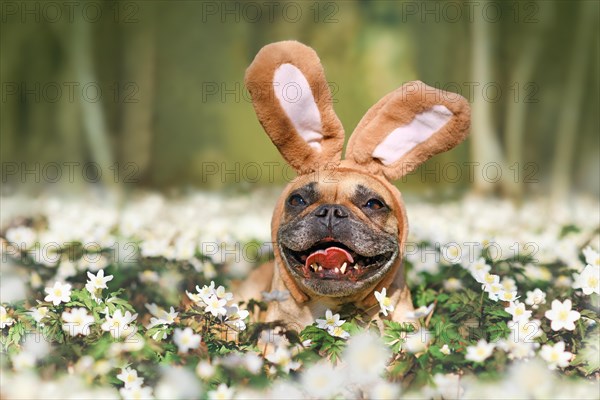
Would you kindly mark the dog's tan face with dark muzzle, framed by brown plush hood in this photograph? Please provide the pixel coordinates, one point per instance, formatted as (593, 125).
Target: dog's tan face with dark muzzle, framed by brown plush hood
(338, 236)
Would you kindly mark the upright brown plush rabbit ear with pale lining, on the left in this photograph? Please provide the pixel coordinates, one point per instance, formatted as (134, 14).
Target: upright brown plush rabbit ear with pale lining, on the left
(293, 104)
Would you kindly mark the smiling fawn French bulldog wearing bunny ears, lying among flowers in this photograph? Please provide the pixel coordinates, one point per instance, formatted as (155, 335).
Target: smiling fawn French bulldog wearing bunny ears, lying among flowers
(340, 227)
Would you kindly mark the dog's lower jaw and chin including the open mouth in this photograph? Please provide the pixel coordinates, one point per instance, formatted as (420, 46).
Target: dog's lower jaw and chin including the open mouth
(352, 276)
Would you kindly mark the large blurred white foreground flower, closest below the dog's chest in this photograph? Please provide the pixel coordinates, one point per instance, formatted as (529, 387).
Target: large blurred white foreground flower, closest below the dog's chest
(366, 357)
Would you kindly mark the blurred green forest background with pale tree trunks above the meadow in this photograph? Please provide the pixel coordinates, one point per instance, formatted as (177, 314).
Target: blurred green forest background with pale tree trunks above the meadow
(152, 91)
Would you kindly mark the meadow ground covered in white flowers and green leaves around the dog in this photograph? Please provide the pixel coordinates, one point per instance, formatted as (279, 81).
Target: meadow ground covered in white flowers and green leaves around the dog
(134, 301)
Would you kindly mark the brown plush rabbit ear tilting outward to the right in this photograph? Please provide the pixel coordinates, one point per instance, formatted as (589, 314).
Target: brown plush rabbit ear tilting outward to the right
(406, 128)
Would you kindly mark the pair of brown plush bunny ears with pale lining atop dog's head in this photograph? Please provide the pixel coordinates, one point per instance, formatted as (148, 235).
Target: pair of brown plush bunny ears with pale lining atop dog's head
(404, 129)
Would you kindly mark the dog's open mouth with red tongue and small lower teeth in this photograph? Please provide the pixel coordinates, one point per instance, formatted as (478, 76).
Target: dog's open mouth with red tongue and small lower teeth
(332, 260)
